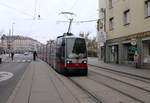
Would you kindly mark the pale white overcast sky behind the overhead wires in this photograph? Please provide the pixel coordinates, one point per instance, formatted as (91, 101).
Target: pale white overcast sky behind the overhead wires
(20, 14)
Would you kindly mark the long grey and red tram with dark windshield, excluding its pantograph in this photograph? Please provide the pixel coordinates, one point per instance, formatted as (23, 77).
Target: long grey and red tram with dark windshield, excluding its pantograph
(67, 55)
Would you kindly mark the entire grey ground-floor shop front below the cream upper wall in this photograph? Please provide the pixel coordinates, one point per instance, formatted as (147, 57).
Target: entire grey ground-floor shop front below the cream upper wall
(132, 50)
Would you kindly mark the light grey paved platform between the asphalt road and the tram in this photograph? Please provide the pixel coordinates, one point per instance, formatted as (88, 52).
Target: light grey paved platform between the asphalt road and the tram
(39, 84)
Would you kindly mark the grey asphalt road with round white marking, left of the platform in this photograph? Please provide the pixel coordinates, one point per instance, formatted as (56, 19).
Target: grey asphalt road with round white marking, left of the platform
(16, 68)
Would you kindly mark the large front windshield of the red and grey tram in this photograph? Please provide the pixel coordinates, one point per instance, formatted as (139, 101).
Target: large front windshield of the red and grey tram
(76, 48)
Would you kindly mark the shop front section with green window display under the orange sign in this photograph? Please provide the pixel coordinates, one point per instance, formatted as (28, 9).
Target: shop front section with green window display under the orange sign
(141, 49)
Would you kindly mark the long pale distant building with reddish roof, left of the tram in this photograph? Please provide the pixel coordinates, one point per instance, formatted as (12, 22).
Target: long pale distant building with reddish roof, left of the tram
(19, 44)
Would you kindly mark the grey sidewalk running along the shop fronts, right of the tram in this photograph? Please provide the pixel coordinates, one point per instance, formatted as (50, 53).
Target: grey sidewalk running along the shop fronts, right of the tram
(122, 68)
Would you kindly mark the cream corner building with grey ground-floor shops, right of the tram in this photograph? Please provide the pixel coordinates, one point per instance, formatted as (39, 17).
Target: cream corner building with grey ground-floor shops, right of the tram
(128, 32)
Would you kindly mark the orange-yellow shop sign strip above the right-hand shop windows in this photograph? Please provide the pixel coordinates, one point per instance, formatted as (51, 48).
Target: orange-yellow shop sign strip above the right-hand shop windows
(146, 34)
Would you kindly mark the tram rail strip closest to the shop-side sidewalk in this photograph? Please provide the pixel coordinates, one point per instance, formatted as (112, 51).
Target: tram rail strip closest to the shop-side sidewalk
(124, 74)
